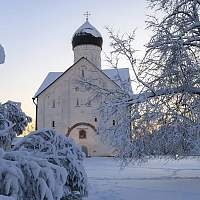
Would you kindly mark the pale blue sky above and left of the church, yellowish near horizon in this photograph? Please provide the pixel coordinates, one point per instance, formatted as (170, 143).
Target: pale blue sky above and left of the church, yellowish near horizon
(36, 35)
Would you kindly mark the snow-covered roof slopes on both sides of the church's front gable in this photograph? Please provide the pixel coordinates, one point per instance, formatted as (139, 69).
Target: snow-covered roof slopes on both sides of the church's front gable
(119, 76)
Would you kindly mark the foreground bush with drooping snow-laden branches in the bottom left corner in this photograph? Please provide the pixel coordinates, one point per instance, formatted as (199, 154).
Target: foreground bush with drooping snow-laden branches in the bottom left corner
(26, 176)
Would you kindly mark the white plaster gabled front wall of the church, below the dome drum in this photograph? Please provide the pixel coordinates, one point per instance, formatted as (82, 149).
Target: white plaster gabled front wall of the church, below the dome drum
(66, 113)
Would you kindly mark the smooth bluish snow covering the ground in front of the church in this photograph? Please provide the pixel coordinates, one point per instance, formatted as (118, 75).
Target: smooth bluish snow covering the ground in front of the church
(155, 180)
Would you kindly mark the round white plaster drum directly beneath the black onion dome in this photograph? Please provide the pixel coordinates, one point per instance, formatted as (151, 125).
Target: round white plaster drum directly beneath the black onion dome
(91, 52)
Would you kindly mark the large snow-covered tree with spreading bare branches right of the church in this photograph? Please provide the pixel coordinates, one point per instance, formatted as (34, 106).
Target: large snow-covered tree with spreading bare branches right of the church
(165, 114)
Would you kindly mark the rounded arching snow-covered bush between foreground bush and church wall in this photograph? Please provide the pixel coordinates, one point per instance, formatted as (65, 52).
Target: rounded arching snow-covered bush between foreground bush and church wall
(61, 151)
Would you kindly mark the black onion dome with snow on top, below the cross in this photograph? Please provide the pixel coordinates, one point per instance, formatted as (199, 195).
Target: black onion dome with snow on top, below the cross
(87, 34)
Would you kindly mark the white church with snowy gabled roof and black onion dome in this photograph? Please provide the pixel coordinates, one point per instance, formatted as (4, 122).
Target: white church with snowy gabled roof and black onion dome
(61, 102)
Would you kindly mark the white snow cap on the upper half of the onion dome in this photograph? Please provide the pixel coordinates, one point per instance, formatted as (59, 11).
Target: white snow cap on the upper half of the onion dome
(87, 28)
